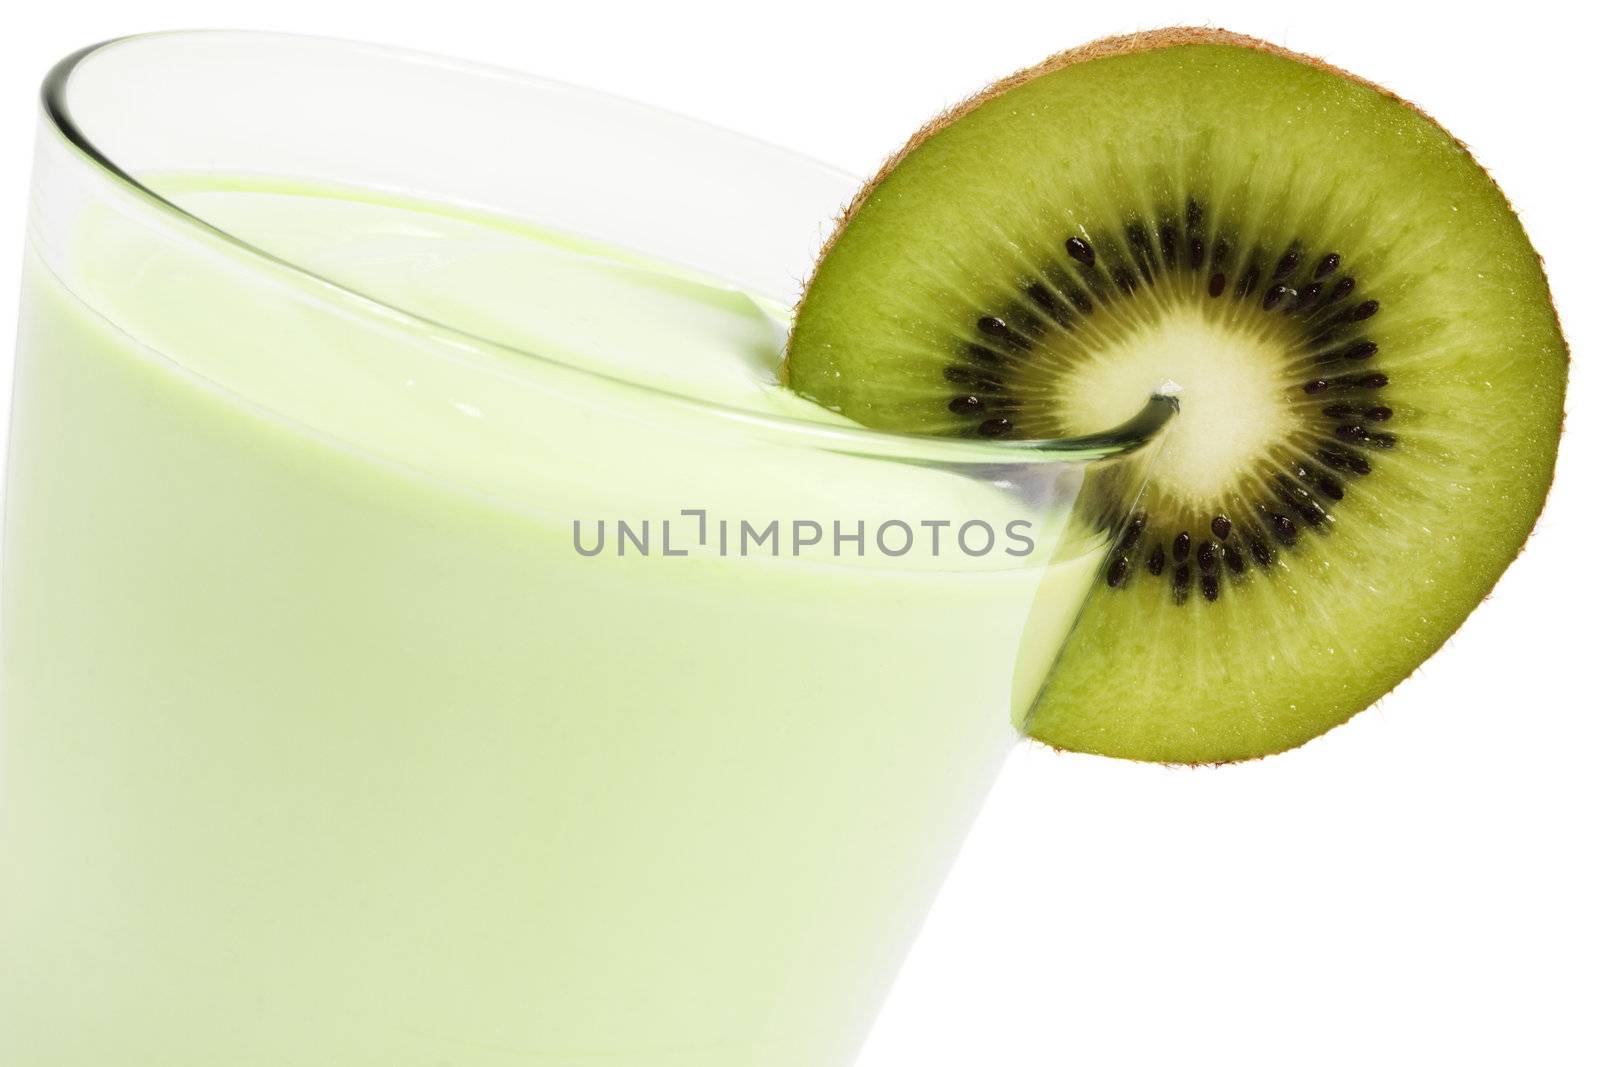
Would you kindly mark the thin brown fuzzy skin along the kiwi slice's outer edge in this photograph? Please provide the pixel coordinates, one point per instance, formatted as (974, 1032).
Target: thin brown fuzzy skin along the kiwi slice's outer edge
(1142, 42)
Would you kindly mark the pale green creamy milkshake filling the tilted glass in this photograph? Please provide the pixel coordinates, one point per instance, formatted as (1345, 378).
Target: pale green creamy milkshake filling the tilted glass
(346, 725)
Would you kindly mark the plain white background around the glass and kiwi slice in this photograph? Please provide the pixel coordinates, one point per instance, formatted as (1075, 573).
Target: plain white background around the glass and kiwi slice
(1415, 889)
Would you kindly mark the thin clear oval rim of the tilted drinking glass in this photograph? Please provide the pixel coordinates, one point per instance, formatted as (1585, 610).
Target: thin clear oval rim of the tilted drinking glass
(1113, 442)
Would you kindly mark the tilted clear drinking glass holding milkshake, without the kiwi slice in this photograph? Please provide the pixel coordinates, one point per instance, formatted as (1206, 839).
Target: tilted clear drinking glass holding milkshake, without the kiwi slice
(330, 738)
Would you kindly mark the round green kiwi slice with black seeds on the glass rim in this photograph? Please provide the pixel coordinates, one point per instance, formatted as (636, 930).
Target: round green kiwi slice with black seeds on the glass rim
(1370, 364)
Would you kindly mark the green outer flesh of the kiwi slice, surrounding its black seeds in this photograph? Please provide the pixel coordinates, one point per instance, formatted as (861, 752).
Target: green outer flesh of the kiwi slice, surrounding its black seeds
(1298, 154)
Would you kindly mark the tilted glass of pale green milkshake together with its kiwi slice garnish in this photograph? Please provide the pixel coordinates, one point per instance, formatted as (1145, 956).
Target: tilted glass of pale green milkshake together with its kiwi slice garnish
(457, 613)
